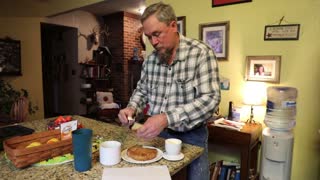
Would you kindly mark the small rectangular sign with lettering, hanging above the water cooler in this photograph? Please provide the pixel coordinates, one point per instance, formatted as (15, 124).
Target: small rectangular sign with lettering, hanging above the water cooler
(282, 32)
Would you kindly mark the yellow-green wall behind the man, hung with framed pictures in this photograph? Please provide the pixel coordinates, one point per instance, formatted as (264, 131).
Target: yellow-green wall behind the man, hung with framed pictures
(300, 61)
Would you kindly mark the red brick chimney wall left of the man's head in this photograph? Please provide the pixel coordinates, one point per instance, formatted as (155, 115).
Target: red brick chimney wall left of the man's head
(124, 37)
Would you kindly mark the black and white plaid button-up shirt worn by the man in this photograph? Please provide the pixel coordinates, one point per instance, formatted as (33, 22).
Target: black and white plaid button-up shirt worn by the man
(187, 91)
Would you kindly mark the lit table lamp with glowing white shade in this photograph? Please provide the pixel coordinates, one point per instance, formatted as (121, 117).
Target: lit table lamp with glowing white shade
(254, 95)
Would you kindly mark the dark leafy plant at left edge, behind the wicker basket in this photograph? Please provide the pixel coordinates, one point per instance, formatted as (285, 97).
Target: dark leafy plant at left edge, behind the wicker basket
(14, 104)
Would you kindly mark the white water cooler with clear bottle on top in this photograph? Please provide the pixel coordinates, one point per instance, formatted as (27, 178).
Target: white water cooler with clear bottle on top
(277, 137)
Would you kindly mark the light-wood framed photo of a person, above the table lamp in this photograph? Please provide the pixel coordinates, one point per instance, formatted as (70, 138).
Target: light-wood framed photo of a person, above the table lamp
(263, 68)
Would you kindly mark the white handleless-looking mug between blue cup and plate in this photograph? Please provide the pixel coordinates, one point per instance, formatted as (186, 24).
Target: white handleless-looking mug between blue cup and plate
(110, 153)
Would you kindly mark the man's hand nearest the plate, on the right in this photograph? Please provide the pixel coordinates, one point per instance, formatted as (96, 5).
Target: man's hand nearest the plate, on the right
(153, 126)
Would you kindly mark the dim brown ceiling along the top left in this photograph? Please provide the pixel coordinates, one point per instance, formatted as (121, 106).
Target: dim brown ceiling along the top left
(50, 8)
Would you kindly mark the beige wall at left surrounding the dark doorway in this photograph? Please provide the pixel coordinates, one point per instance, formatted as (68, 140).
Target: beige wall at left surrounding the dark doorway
(27, 30)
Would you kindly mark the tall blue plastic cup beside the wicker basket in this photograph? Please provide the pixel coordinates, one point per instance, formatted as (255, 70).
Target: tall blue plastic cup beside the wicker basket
(82, 149)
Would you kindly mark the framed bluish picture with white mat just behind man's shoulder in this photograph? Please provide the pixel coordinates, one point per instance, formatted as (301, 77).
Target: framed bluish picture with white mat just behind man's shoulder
(216, 35)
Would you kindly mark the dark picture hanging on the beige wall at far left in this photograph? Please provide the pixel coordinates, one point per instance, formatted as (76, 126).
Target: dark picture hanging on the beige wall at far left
(10, 57)
